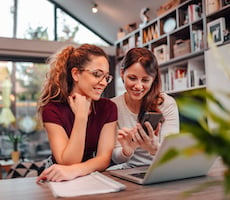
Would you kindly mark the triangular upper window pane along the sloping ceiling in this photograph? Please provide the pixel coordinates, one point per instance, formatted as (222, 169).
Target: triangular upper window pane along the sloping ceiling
(68, 29)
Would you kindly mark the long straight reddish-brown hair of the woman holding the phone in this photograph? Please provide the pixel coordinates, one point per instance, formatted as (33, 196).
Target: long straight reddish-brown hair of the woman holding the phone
(148, 61)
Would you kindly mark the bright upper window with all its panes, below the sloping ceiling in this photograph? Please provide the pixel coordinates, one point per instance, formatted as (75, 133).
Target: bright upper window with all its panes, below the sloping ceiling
(35, 20)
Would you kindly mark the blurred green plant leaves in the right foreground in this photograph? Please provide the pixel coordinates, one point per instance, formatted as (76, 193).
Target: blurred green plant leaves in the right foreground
(203, 108)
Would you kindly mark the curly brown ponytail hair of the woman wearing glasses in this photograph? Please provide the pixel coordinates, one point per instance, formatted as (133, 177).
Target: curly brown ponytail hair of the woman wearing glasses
(59, 82)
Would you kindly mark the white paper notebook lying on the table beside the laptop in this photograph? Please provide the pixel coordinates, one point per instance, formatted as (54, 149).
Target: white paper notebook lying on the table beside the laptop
(94, 183)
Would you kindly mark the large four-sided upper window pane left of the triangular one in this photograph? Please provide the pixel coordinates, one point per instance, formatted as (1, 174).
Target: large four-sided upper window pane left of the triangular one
(35, 20)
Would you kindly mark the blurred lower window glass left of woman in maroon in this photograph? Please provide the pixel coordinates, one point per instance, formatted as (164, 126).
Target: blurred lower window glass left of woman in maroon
(24, 80)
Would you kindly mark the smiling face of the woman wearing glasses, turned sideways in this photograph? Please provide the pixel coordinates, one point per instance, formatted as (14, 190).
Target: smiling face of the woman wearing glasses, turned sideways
(86, 81)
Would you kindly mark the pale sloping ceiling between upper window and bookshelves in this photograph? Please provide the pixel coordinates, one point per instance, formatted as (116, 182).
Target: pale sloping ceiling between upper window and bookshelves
(111, 16)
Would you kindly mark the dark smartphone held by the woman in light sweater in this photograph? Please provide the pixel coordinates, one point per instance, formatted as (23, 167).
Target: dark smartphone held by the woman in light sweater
(153, 118)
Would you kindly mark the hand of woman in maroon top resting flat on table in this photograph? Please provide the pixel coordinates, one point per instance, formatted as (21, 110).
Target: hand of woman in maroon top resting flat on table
(57, 172)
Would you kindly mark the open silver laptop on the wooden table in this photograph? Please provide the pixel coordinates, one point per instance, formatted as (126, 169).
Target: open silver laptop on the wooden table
(182, 166)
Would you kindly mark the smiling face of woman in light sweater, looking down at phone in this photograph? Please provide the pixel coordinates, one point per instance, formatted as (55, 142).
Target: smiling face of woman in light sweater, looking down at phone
(137, 82)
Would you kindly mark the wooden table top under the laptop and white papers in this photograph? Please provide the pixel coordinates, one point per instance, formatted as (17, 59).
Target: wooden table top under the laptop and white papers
(26, 188)
